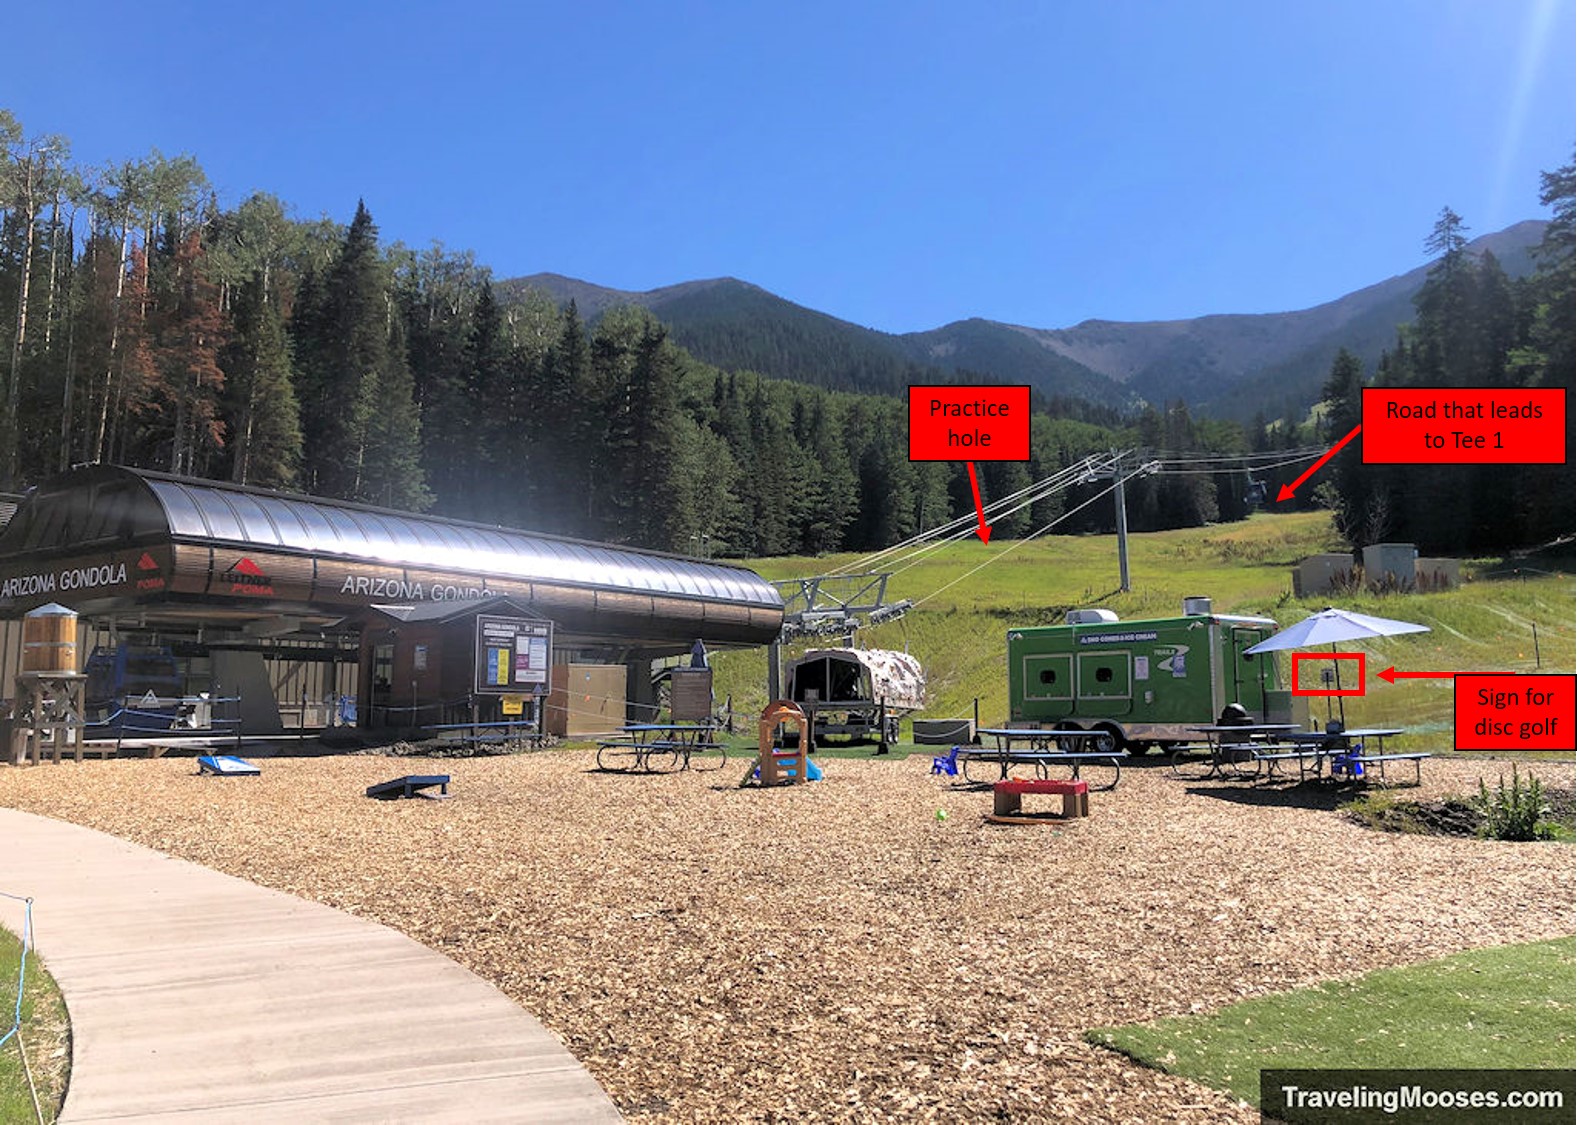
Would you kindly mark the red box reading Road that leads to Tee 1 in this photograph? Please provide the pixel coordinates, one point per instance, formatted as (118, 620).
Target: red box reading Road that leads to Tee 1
(1464, 425)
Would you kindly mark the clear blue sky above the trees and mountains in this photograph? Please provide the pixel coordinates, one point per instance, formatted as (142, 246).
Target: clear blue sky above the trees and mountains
(897, 165)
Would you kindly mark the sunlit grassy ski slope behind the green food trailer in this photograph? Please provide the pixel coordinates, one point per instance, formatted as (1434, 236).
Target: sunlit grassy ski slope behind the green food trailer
(960, 627)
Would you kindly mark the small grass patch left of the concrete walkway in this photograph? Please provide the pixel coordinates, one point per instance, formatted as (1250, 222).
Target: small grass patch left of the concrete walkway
(45, 1034)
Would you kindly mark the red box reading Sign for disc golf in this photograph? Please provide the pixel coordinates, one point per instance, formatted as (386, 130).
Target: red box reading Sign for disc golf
(1516, 712)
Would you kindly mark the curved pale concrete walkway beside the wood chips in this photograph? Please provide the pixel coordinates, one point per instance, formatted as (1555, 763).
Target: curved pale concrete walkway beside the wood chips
(203, 998)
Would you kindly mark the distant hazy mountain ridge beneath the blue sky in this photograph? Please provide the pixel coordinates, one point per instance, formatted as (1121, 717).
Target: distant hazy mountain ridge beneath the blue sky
(1226, 365)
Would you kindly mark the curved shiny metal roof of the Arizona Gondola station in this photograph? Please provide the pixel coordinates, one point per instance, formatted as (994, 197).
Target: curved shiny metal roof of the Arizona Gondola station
(214, 512)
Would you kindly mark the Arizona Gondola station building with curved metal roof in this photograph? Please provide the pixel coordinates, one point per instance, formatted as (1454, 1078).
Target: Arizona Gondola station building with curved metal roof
(299, 605)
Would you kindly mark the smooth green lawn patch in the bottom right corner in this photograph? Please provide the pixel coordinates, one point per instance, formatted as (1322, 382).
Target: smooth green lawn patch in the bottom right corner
(1508, 1007)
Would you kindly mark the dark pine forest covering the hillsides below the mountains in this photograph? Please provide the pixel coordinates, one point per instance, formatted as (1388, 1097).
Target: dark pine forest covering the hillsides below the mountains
(146, 324)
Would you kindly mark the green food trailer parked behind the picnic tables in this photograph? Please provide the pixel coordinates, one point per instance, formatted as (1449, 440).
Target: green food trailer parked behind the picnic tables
(1143, 682)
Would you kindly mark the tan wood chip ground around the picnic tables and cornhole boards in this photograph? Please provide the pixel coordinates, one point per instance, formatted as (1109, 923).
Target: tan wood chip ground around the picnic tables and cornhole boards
(837, 951)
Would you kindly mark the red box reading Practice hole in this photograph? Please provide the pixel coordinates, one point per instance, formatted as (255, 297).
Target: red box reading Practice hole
(969, 424)
